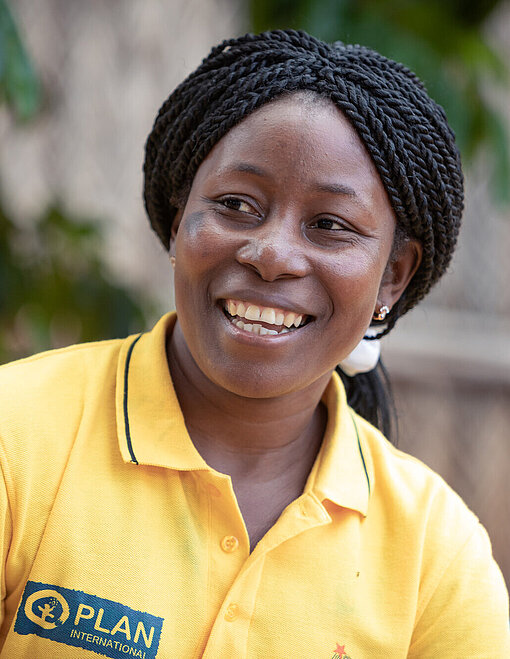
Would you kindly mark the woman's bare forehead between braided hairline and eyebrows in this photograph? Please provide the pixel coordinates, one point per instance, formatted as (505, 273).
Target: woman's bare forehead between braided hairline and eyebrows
(299, 138)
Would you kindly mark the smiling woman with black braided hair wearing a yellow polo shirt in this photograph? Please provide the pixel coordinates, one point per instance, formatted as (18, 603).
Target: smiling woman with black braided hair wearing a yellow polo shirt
(204, 490)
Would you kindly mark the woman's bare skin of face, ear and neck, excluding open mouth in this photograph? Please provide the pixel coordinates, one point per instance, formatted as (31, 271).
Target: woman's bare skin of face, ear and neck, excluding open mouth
(286, 211)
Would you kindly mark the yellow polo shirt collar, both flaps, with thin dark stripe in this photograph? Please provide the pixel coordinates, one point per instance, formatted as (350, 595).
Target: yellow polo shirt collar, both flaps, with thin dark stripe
(151, 428)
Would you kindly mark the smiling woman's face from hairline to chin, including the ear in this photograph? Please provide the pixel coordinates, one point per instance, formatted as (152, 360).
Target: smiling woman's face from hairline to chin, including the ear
(282, 251)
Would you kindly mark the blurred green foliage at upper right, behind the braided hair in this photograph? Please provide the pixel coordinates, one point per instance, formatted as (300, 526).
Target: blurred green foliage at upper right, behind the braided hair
(442, 40)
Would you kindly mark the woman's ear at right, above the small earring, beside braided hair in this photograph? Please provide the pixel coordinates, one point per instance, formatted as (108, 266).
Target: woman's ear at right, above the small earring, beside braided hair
(399, 271)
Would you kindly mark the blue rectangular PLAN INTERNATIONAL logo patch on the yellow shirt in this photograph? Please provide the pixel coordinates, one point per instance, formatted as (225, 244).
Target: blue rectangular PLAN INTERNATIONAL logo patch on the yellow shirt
(86, 621)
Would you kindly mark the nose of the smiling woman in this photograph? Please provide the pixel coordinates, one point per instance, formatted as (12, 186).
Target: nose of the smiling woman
(274, 251)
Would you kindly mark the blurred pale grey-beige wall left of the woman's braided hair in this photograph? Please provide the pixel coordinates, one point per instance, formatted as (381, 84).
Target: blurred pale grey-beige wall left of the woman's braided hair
(106, 67)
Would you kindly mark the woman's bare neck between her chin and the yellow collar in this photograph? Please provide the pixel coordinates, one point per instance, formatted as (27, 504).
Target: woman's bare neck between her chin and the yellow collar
(246, 436)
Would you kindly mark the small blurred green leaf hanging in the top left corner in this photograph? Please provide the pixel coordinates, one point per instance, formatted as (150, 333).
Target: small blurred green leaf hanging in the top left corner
(19, 86)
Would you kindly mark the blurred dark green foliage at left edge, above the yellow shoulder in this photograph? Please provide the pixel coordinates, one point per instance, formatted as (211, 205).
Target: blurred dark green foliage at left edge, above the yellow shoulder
(55, 287)
